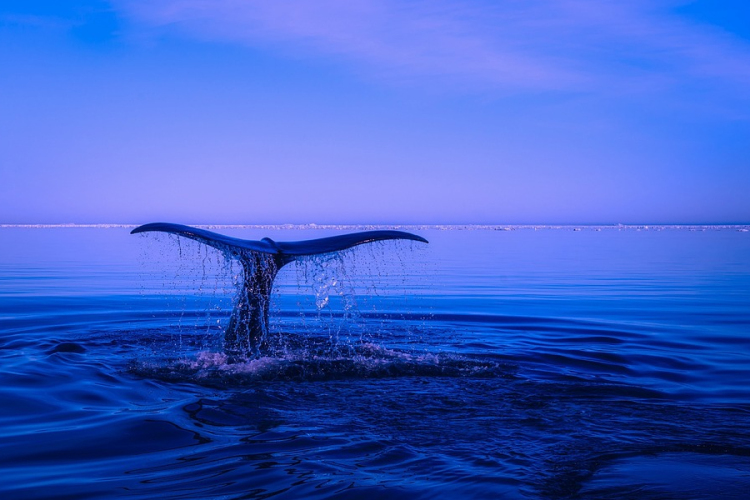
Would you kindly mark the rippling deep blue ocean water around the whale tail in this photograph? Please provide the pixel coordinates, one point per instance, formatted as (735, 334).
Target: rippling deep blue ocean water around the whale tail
(529, 363)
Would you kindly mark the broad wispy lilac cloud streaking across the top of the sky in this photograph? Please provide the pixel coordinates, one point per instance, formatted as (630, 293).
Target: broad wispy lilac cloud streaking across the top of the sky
(570, 45)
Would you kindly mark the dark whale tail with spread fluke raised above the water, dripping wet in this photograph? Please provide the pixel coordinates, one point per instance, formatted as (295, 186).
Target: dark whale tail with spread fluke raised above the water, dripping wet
(261, 261)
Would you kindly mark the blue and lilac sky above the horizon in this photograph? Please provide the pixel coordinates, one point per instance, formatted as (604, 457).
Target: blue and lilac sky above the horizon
(375, 111)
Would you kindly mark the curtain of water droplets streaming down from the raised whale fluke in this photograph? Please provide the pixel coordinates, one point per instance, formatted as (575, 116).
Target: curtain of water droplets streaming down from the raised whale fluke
(329, 292)
